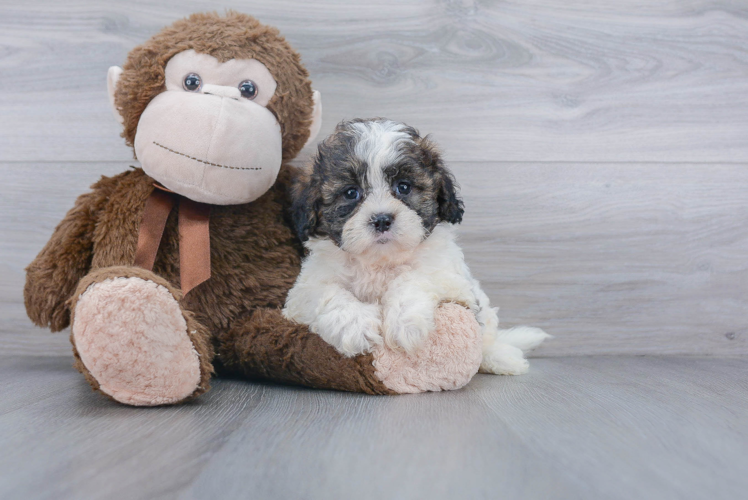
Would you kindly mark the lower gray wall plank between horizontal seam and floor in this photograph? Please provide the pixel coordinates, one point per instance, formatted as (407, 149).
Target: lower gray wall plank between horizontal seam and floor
(611, 259)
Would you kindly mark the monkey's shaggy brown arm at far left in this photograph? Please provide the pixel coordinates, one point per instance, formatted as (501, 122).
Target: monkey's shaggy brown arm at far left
(54, 274)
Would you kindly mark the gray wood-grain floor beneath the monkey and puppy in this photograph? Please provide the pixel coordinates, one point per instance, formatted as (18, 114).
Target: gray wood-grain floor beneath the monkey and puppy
(598, 427)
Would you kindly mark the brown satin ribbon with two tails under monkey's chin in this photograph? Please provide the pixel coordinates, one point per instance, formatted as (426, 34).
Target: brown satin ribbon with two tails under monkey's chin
(194, 235)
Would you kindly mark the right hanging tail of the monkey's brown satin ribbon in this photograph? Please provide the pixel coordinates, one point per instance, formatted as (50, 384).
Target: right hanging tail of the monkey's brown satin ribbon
(194, 243)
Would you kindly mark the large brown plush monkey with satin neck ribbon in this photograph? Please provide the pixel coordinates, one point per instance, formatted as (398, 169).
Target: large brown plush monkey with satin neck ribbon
(183, 265)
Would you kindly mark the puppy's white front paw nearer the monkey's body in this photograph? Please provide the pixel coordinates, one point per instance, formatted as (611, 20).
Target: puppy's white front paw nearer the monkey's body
(352, 330)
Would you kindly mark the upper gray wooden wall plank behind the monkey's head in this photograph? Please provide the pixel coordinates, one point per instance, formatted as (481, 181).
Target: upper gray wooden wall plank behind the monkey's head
(513, 81)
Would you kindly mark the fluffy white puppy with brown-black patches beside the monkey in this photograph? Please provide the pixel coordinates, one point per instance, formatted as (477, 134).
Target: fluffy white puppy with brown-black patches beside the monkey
(376, 214)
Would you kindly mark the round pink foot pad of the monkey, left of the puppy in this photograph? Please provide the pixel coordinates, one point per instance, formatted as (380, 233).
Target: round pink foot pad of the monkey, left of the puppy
(132, 337)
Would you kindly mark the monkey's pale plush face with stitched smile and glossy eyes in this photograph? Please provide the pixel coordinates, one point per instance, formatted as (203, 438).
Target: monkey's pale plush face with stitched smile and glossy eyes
(209, 135)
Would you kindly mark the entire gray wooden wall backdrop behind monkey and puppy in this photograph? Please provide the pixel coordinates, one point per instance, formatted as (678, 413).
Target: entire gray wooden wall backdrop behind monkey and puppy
(602, 147)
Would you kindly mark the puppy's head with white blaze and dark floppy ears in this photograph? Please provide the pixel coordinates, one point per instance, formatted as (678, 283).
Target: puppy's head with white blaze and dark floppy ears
(375, 186)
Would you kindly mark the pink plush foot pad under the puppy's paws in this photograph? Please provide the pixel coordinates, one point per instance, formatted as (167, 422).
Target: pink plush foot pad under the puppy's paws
(450, 358)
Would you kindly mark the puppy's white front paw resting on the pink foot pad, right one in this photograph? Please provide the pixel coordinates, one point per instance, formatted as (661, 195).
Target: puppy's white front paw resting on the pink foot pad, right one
(409, 325)
